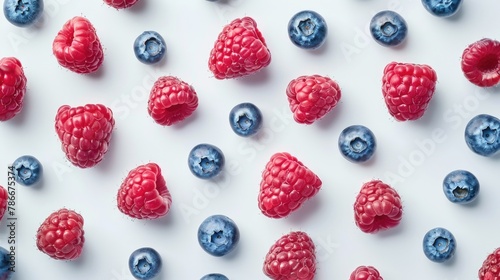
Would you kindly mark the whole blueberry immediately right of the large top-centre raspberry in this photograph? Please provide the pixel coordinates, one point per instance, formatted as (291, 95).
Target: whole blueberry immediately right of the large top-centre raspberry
(307, 30)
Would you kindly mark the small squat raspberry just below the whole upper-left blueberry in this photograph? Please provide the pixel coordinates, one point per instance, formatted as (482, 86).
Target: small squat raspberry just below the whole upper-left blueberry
(171, 100)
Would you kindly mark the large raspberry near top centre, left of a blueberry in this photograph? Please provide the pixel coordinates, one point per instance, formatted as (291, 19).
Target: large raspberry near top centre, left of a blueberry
(239, 50)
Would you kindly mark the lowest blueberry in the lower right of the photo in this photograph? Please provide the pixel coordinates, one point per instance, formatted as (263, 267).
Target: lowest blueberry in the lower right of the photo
(439, 245)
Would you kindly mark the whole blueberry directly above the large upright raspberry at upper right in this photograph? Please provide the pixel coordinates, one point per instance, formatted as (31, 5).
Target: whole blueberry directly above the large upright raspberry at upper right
(388, 28)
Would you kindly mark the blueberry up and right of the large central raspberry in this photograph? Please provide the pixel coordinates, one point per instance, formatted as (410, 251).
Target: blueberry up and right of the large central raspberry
(357, 143)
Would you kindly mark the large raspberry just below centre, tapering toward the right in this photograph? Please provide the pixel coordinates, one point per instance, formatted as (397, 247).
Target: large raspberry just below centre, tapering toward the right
(286, 184)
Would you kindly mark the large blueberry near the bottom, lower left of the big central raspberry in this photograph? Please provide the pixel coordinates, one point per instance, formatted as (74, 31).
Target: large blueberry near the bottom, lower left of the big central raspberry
(218, 235)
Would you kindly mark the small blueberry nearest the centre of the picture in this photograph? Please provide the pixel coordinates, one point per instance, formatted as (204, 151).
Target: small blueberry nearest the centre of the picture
(245, 119)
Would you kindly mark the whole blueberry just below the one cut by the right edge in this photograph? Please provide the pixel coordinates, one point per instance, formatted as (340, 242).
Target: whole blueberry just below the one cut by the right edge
(460, 186)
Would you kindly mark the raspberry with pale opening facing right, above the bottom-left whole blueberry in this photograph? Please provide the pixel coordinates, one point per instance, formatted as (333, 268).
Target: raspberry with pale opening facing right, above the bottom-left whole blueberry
(144, 194)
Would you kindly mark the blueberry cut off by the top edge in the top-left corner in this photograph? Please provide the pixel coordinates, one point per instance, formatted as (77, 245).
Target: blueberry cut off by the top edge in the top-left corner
(22, 12)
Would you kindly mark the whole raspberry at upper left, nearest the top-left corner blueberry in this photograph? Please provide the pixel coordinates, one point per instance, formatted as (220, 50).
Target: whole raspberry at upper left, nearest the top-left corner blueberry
(77, 46)
